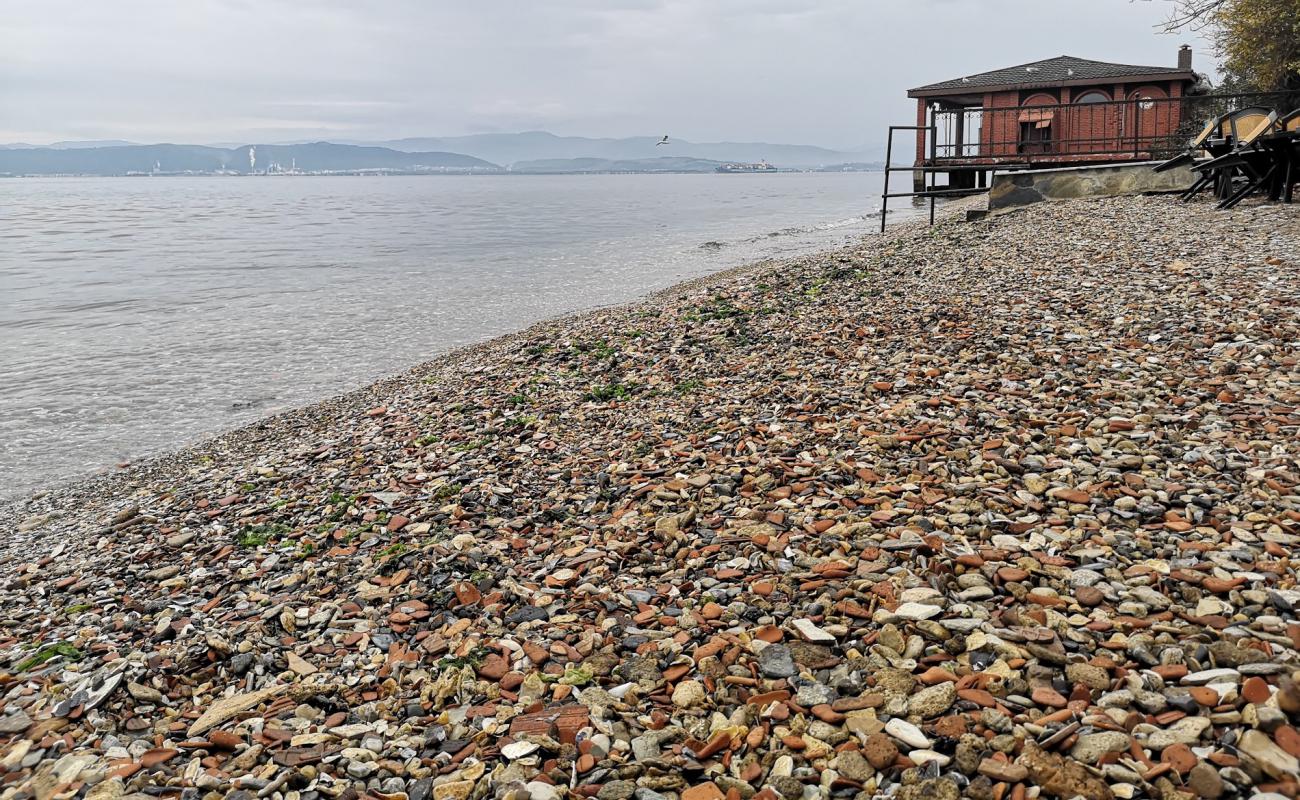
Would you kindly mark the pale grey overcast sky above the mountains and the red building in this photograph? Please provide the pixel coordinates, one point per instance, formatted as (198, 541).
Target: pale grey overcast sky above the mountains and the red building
(816, 72)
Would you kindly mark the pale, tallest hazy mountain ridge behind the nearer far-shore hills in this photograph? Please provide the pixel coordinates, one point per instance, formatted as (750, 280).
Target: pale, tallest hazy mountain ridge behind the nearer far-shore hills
(532, 146)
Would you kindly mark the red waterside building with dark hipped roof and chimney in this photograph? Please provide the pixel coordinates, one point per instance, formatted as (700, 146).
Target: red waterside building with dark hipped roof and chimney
(1056, 113)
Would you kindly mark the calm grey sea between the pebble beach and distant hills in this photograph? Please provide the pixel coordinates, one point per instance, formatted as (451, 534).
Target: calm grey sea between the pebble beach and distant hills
(142, 314)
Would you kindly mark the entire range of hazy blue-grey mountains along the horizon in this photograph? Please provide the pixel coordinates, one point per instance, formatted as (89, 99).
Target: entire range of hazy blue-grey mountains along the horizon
(523, 153)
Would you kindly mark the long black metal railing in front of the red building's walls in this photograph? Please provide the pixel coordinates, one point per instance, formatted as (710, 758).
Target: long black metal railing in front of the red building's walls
(1090, 129)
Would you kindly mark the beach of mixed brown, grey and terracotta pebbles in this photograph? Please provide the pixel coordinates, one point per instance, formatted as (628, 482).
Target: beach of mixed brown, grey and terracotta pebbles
(998, 511)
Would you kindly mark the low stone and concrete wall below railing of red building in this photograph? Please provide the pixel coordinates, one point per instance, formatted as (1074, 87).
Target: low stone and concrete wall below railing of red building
(1012, 189)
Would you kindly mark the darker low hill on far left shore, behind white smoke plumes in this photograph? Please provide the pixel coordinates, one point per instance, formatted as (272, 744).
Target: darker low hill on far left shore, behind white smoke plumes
(320, 157)
